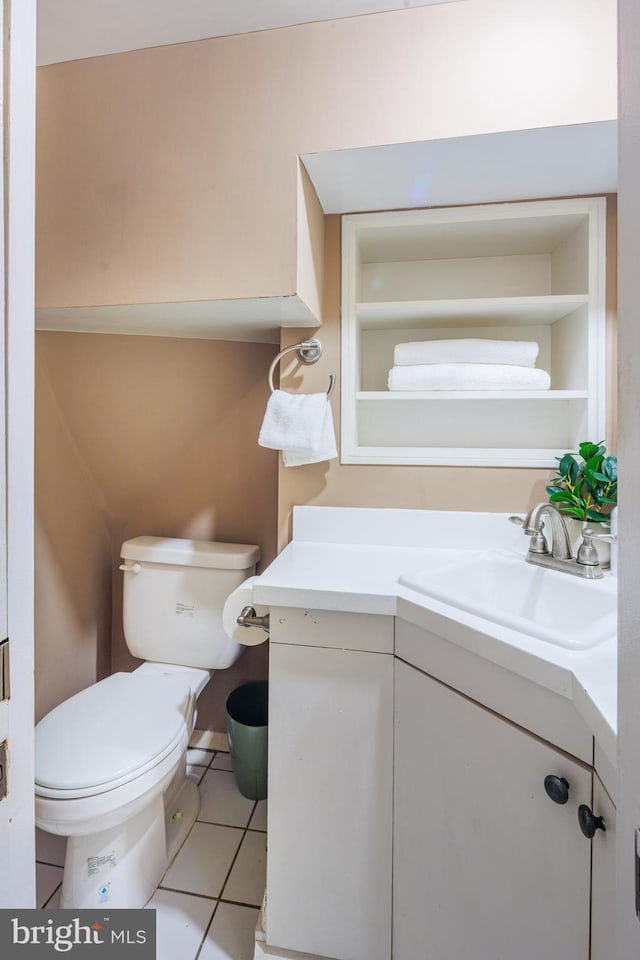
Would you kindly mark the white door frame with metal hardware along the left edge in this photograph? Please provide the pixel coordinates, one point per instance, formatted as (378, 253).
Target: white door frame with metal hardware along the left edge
(17, 875)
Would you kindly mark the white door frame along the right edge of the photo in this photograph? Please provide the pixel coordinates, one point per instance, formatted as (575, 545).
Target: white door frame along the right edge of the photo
(628, 814)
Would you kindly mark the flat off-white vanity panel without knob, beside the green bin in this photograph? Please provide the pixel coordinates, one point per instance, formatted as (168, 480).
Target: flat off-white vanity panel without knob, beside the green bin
(330, 802)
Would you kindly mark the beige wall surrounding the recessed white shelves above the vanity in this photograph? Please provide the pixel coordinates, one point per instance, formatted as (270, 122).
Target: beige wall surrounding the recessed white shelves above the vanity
(436, 488)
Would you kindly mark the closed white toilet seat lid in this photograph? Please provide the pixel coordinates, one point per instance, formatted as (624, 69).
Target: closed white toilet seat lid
(111, 734)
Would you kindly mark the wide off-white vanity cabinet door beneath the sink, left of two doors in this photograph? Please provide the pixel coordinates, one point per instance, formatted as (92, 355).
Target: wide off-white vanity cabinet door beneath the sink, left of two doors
(486, 865)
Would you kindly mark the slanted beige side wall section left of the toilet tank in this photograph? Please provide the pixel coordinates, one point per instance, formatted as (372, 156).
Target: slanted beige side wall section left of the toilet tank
(72, 555)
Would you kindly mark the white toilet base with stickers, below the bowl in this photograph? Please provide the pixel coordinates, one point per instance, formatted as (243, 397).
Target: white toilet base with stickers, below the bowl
(122, 867)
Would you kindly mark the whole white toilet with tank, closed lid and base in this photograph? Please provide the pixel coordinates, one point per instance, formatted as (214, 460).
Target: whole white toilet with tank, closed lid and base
(110, 762)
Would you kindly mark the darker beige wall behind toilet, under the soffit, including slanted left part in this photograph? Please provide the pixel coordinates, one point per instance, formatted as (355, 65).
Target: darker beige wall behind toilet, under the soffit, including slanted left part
(140, 435)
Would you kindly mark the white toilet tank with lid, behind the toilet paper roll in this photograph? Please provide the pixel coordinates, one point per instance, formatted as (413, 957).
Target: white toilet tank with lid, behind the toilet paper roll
(173, 595)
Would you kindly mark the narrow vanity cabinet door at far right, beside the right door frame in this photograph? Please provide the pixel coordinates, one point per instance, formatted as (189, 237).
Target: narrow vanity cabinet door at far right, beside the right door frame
(603, 901)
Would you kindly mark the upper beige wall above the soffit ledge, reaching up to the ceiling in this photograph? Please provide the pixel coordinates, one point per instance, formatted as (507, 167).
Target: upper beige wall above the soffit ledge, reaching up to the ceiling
(170, 174)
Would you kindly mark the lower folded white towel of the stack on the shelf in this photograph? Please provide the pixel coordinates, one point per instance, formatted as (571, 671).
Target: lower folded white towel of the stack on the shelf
(467, 376)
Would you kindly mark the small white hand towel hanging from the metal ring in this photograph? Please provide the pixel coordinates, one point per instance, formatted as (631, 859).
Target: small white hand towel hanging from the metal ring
(301, 426)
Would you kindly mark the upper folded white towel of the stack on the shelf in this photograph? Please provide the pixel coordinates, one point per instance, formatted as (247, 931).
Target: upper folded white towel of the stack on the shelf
(521, 353)
